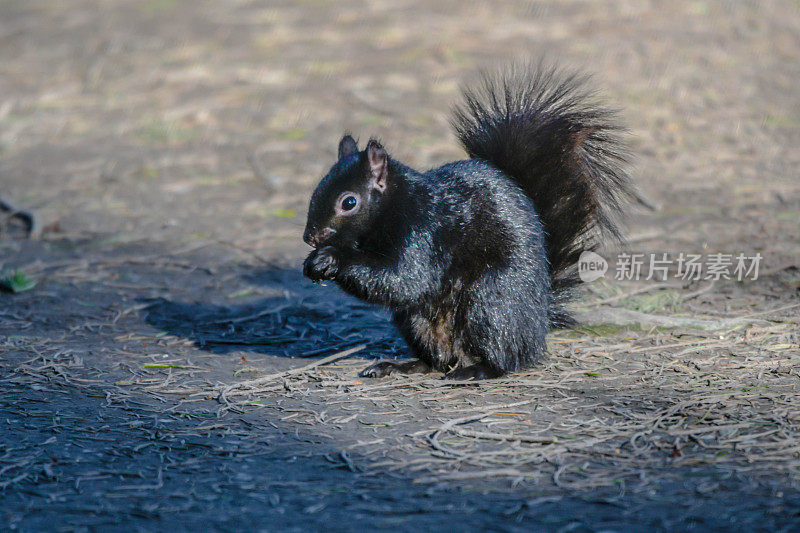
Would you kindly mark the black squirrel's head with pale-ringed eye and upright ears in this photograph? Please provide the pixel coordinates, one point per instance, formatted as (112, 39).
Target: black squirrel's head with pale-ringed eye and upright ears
(346, 203)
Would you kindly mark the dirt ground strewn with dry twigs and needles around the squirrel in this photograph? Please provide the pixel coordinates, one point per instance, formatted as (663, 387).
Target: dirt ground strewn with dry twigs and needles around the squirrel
(168, 149)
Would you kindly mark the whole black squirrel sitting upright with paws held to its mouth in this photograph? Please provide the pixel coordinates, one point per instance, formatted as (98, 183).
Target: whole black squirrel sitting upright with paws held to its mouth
(476, 259)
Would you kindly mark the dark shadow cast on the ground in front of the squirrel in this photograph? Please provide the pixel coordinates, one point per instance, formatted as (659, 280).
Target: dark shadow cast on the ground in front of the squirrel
(299, 320)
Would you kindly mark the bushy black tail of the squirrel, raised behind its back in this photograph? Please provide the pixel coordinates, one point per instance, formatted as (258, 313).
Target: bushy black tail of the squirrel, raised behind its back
(544, 129)
